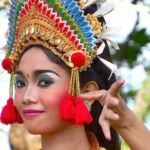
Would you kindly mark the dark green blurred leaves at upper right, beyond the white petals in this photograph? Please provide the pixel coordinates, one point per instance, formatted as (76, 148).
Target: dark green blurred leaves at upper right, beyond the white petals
(131, 48)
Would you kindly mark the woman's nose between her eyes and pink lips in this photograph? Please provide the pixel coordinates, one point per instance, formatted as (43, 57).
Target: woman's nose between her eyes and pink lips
(30, 95)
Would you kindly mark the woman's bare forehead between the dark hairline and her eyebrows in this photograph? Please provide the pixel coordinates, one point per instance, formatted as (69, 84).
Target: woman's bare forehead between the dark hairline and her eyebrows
(34, 61)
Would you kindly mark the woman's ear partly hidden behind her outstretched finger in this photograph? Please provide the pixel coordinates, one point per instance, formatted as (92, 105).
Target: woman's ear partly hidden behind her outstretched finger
(90, 86)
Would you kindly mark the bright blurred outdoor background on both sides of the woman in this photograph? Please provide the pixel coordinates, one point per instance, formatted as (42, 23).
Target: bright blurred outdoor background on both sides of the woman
(131, 21)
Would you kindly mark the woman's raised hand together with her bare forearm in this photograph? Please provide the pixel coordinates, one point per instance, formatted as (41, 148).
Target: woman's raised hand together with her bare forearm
(116, 114)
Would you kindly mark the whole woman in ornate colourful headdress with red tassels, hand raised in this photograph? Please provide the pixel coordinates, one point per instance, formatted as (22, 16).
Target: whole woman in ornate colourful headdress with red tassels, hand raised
(60, 78)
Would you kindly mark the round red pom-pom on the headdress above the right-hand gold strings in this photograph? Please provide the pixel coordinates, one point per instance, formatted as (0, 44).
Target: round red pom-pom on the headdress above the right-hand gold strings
(78, 59)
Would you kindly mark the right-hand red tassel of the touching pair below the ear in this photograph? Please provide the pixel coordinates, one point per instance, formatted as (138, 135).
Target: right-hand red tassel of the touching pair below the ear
(83, 115)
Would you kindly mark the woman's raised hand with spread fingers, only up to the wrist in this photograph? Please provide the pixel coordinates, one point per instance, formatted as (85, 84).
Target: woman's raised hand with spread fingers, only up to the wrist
(115, 112)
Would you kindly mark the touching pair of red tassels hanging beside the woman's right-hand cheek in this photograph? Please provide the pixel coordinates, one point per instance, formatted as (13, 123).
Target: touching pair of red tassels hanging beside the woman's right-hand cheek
(75, 111)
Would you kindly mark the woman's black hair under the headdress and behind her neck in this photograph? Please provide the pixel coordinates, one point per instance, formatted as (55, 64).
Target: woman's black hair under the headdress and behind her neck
(99, 73)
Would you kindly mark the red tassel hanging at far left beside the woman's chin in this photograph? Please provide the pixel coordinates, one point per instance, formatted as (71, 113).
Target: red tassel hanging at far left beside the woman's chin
(9, 113)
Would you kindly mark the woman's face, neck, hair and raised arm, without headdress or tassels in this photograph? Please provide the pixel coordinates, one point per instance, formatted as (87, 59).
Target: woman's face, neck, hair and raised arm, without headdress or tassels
(37, 100)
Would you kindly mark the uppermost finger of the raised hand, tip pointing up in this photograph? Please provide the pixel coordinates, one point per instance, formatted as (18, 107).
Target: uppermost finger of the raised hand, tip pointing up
(114, 89)
